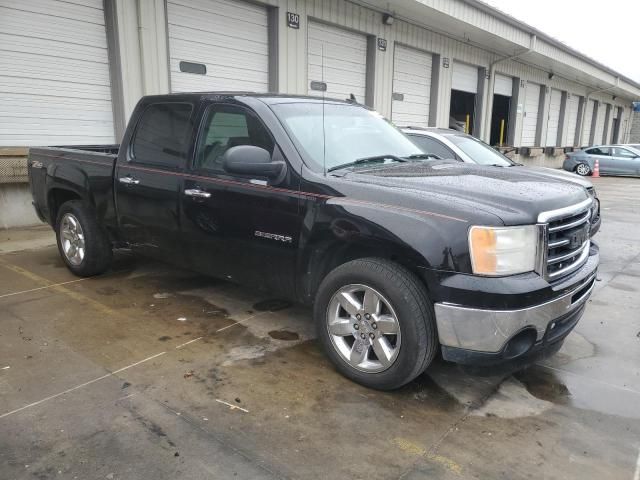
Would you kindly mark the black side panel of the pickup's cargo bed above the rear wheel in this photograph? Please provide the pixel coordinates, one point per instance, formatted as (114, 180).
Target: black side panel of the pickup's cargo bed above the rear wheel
(86, 170)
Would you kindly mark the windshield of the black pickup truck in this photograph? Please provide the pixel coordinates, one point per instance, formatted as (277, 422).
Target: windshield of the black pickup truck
(351, 133)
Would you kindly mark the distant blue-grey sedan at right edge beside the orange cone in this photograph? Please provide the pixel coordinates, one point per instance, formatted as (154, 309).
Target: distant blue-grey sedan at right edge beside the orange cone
(613, 160)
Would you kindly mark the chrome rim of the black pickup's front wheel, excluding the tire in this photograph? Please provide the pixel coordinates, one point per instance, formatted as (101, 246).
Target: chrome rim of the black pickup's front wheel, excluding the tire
(363, 328)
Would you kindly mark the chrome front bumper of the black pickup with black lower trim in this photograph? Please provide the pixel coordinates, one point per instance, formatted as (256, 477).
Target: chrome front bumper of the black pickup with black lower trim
(491, 333)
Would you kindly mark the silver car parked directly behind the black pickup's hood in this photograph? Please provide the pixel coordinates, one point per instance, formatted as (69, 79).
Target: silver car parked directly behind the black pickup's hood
(448, 143)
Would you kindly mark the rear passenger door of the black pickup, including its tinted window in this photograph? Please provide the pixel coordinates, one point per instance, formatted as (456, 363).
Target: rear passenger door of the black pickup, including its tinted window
(148, 179)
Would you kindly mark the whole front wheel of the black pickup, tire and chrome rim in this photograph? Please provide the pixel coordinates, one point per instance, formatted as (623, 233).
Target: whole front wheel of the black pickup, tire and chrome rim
(376, 323)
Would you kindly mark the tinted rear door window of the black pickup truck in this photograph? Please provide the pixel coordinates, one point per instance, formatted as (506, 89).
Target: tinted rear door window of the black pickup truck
(163, 135)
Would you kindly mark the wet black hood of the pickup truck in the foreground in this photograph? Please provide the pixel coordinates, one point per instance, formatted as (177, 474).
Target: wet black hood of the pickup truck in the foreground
(514, 195)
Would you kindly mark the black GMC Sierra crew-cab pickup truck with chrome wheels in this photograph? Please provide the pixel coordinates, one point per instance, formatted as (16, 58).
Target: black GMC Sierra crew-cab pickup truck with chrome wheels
(325, 202)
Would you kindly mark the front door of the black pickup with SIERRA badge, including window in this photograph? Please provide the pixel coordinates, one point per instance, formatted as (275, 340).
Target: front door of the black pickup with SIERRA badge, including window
(238, 227)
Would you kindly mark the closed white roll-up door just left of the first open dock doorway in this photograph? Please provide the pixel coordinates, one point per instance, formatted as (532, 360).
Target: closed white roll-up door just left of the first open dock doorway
(411, 87)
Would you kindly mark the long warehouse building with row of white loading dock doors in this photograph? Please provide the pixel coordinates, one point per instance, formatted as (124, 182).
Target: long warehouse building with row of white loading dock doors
(72, 71)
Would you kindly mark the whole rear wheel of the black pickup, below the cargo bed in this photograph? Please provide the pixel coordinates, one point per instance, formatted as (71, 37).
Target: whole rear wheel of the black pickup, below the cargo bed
(82, 242)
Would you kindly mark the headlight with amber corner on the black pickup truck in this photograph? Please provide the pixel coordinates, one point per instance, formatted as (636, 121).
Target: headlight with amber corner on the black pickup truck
(498, 251)
